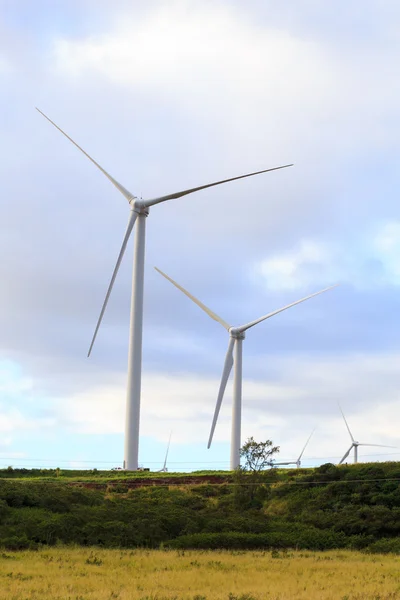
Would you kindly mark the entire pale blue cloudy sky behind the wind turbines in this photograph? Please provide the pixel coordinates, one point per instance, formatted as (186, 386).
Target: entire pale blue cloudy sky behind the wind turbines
(173, 94)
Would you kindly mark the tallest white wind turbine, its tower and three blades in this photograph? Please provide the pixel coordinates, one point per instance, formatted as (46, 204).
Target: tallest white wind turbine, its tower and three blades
(139, 211)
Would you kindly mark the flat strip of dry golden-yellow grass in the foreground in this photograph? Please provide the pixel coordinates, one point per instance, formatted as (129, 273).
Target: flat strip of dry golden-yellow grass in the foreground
(93, 574)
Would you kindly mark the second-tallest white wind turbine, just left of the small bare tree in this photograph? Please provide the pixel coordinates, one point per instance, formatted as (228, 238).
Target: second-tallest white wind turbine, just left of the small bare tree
(234, 357)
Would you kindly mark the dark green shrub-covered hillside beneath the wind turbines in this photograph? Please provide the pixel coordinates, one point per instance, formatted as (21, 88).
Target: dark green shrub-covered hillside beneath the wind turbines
(355, 506)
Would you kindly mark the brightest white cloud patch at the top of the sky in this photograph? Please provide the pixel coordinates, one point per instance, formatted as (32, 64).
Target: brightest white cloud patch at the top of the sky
(202, 52)
